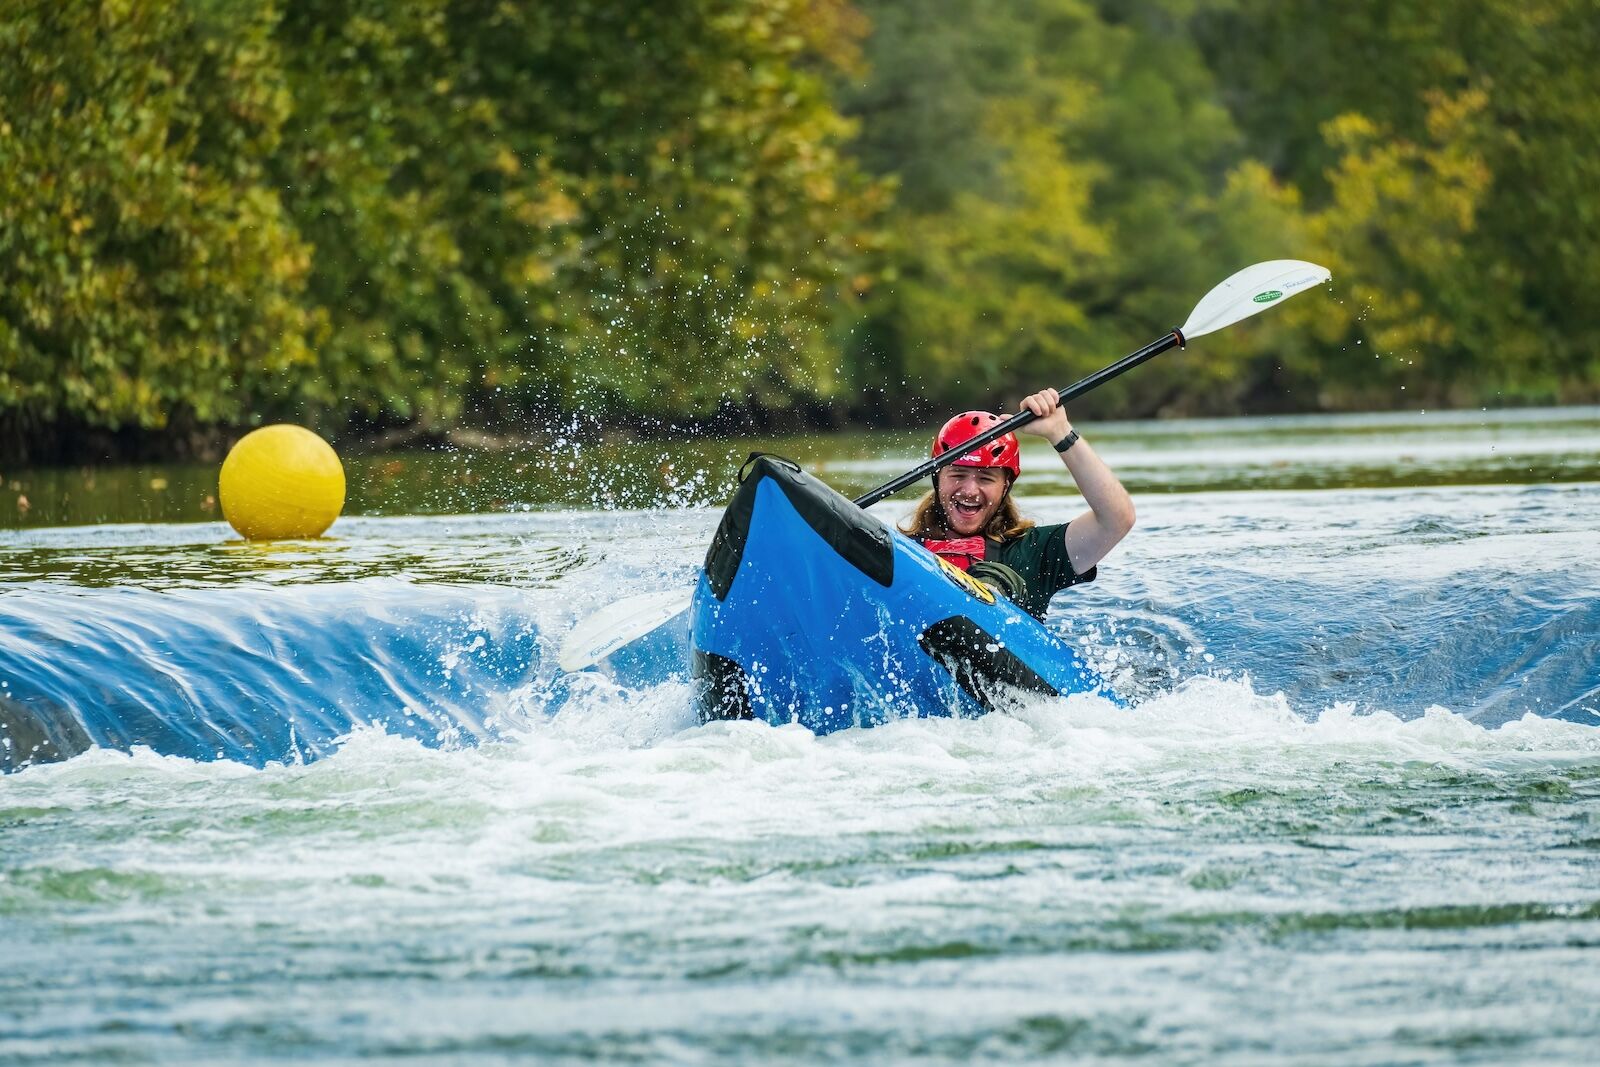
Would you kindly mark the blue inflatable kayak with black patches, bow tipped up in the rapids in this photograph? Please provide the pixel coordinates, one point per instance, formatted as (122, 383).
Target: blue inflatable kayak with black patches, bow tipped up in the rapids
(812, 612)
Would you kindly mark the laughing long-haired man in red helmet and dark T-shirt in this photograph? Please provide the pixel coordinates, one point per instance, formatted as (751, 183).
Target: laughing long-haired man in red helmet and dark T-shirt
(970, 519)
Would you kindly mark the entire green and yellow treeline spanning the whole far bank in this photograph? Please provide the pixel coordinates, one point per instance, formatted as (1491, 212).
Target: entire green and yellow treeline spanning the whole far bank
(441, 212)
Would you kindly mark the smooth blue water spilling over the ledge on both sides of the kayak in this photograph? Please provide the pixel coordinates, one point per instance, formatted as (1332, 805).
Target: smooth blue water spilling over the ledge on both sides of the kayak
(1484, 602)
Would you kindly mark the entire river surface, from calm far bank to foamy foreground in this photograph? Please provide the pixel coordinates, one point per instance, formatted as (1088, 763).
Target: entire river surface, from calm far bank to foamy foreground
(343, 807)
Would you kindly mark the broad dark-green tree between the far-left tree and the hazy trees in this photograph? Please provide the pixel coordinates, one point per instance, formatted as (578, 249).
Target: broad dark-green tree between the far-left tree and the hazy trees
(574, 207)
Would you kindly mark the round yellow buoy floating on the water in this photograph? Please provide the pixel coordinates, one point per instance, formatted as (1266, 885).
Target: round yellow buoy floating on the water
(281, 482)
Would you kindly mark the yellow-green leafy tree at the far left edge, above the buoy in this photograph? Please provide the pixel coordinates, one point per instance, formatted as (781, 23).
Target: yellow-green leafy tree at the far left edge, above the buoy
(146, 266)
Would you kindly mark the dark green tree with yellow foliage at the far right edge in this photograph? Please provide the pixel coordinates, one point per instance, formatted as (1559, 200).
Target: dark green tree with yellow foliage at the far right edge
(1449, 154)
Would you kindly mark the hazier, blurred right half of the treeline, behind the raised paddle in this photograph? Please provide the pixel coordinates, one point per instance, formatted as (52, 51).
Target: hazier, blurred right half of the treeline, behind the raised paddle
(1074, 174)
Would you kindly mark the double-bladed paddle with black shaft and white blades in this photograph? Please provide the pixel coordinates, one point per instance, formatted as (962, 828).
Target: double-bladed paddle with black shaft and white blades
(1247, 294)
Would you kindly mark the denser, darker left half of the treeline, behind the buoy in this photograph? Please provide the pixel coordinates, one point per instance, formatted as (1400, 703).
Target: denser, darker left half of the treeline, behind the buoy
(422, 210)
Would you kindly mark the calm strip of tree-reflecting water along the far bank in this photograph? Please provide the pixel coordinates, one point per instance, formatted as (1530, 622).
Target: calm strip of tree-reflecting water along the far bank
(1198, 455)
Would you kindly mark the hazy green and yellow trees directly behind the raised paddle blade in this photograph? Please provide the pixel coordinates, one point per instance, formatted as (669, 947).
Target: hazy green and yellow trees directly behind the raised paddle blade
(1097, 191)
